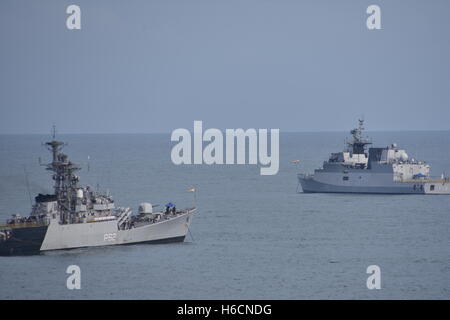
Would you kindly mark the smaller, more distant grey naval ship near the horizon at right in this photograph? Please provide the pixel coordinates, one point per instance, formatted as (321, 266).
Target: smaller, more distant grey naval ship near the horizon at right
(386, 170)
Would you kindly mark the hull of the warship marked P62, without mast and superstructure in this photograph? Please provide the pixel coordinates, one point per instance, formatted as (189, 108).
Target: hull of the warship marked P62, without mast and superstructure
(56, 236)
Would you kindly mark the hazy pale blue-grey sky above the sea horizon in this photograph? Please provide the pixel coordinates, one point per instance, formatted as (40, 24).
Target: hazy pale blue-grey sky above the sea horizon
(157, 65)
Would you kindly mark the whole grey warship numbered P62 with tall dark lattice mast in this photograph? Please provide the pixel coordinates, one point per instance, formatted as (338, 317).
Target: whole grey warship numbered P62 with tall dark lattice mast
(76, 216)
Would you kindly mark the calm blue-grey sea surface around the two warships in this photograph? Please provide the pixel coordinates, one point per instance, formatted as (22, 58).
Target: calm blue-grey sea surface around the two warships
(254, 237)
